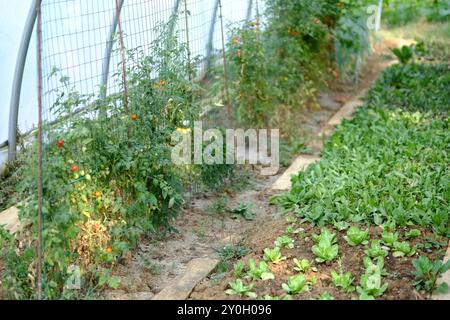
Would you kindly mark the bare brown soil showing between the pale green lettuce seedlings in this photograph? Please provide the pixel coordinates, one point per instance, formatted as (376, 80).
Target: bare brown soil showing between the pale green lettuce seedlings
(399, 278)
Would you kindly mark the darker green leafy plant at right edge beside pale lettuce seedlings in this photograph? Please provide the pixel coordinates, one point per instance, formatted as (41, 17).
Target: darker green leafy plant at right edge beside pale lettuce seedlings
(427, 272)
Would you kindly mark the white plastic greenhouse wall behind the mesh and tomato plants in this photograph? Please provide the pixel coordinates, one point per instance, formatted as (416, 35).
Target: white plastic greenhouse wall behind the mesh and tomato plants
(79, 41)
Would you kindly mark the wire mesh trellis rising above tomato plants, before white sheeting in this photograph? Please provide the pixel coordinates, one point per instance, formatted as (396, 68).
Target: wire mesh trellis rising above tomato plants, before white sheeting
(78, 37)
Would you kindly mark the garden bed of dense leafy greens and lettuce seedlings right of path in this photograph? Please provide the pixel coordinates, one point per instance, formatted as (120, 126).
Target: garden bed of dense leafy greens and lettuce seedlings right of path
(370, 220)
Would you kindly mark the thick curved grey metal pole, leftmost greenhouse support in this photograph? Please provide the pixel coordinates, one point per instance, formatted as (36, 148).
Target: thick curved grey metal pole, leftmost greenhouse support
(17, 81)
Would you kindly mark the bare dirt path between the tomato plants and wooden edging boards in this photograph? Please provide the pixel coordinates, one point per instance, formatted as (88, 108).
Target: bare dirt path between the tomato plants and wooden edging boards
(202, 232)
